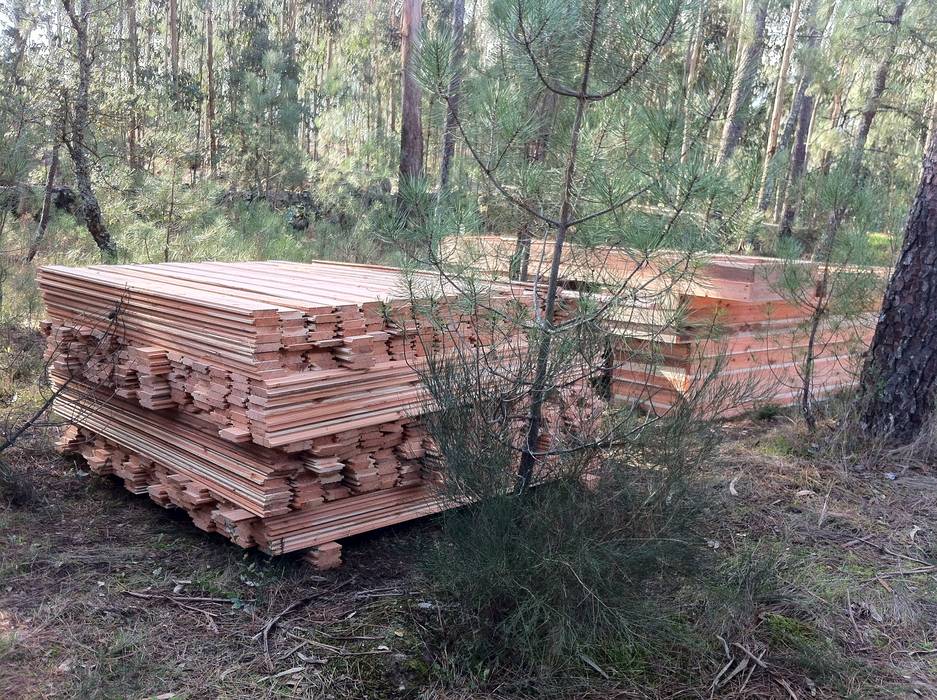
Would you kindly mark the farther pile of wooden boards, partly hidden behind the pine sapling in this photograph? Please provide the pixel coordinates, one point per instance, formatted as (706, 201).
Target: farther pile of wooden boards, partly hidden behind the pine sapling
(726, 330)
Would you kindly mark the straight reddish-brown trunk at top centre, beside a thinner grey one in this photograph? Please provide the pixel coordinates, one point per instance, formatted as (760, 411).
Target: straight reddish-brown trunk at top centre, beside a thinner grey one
(411, 129)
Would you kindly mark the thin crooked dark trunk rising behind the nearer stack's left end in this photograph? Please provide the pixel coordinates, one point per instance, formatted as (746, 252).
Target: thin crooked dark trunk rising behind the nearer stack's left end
(79, 130)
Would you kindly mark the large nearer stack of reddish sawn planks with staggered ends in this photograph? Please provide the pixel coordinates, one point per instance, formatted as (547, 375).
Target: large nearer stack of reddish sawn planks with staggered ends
(276, 403)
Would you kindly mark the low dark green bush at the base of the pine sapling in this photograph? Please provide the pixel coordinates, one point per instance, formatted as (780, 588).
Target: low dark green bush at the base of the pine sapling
(571, 570)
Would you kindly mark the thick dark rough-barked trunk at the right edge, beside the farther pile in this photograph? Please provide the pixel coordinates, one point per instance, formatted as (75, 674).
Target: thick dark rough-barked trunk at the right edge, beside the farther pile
(900, 373)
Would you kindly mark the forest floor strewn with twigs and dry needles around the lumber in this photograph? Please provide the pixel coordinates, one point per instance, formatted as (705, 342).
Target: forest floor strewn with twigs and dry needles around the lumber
(106, 595)
